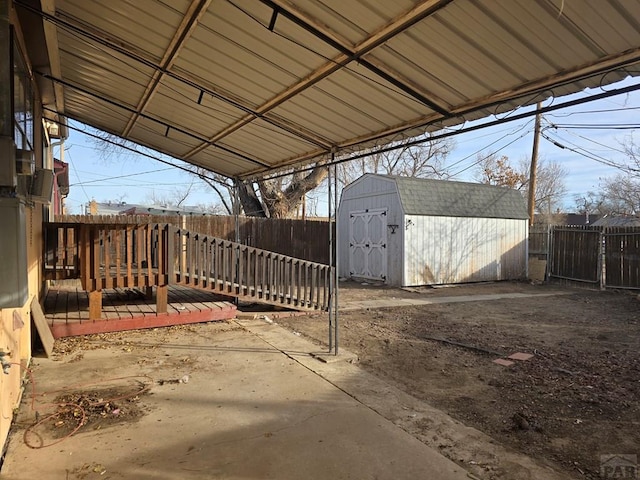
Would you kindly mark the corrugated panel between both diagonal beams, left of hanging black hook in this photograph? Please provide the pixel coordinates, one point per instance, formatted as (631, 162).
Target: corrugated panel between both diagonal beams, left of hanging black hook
(244, 58)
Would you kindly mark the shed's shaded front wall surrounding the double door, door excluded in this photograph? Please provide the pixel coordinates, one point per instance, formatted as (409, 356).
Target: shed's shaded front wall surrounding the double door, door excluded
(371, 193)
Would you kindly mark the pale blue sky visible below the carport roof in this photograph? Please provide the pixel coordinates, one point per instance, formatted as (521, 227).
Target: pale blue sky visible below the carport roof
(93, 178)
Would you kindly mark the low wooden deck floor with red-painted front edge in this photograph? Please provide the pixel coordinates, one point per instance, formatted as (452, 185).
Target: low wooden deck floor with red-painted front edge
(67, 309)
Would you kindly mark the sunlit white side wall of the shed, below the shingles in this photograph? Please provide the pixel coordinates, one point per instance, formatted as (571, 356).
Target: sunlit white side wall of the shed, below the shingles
(441, 250)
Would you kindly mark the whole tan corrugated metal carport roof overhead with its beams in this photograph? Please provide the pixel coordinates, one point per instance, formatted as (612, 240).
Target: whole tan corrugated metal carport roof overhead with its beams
(243, 87)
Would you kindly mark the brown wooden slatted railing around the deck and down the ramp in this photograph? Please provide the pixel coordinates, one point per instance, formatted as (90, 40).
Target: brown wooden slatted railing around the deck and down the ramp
(157, 255)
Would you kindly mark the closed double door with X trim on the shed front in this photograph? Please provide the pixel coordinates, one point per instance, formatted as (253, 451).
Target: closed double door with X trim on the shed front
(368, 244)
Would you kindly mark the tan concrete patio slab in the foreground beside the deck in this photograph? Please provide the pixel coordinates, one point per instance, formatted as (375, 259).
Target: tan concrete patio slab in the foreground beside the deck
(254, 407)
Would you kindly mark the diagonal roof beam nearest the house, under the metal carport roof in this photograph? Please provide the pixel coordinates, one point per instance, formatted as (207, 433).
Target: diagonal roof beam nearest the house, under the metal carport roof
(182, 34)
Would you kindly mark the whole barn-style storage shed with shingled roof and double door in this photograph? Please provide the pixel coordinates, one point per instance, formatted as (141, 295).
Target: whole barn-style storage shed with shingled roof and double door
(413, 231)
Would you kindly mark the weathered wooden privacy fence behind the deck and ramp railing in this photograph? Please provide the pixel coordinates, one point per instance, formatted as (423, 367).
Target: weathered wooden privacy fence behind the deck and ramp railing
(305, 239)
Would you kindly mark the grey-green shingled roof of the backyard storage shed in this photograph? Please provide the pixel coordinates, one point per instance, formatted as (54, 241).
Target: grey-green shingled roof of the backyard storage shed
(422, 196)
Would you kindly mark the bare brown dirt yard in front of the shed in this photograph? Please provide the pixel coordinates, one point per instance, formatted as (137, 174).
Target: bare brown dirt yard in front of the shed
(576, 399)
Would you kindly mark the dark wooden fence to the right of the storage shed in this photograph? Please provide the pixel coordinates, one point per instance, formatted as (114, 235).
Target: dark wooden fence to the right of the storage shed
(608, 257)
